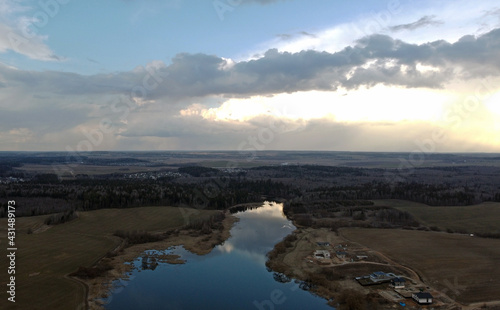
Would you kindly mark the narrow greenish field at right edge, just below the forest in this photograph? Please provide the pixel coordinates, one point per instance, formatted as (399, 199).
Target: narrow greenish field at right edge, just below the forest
(484, 218)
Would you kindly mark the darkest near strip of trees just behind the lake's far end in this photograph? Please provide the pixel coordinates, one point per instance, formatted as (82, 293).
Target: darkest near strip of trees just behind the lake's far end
(45, 193)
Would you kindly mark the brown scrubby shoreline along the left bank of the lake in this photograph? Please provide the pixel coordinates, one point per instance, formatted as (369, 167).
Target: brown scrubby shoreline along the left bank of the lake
(193, 241)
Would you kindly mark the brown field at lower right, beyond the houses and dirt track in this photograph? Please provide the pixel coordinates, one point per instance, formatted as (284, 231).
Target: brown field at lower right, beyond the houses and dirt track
(465, 268)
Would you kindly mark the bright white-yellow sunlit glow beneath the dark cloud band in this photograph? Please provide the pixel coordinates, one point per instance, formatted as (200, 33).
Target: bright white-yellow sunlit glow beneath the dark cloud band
(393, 104)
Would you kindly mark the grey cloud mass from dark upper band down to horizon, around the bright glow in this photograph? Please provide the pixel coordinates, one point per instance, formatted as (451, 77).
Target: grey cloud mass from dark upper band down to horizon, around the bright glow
(47, 110)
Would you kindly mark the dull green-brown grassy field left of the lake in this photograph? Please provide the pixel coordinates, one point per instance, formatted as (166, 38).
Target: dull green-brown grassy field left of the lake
(43, 259)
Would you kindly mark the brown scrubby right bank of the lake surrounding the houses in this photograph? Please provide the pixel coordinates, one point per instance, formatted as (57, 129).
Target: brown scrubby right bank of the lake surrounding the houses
(333, 278)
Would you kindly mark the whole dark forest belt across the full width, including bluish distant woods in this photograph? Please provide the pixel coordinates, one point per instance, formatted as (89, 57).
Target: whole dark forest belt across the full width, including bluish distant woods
(209, 188)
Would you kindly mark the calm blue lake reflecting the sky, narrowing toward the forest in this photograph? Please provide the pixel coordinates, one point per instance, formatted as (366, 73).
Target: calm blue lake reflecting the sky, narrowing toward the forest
(233, 276)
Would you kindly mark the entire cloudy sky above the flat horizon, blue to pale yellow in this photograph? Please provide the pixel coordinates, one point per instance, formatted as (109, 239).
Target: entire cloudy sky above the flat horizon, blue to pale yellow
(250, 75)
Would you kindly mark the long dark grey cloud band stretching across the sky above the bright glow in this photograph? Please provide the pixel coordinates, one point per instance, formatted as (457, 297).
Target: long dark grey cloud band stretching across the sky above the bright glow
(376, 59)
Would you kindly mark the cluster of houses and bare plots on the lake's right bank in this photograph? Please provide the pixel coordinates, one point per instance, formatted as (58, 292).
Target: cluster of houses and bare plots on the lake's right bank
(400, 290)
